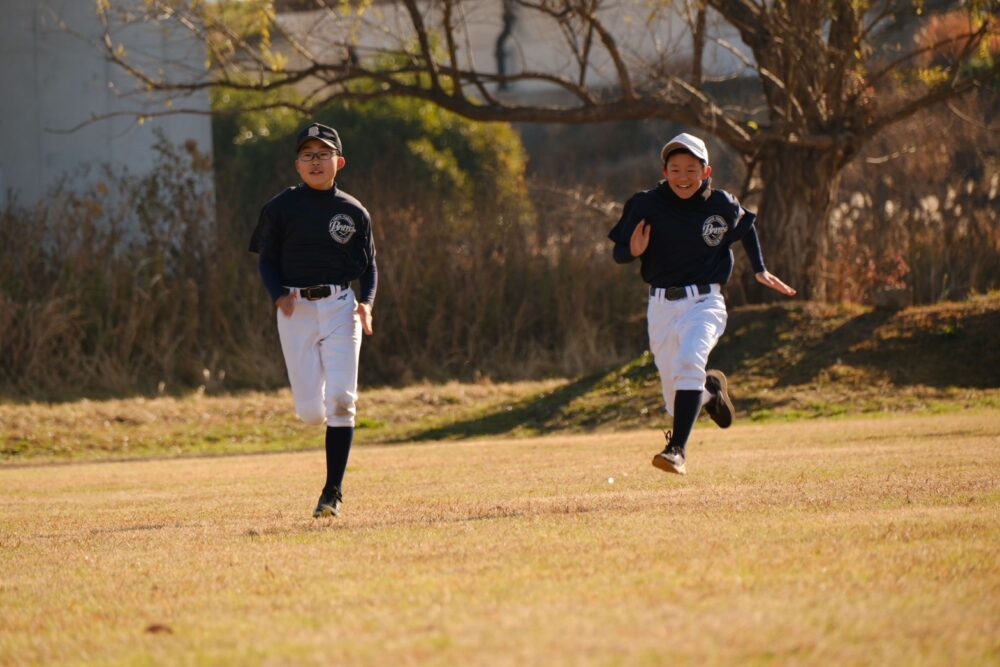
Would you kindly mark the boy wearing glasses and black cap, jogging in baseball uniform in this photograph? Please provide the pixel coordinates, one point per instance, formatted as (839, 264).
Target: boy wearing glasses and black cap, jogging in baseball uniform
(313, 240)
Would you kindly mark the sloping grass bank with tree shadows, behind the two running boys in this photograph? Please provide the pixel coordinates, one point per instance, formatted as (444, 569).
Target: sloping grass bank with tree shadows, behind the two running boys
(787, 362)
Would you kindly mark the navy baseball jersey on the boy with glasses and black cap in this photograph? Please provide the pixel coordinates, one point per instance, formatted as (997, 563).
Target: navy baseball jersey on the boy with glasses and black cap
(316, 237)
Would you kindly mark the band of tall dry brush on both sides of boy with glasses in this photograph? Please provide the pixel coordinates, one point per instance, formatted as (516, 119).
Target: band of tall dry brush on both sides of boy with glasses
(144, 285)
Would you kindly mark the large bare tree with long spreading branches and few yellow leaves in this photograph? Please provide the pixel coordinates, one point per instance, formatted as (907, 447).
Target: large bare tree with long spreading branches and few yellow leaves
(819, 74)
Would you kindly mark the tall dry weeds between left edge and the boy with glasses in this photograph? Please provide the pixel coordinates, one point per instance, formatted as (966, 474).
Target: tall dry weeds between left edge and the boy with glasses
(115, 289)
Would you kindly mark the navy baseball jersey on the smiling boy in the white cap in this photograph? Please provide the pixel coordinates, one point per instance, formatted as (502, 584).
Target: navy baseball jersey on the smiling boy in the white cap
(690, 239)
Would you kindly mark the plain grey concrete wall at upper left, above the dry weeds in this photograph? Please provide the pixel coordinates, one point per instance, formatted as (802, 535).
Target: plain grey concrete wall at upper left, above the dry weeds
(53, 77)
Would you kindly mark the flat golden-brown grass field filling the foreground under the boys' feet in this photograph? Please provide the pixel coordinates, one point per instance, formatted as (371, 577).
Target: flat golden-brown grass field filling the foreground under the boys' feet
(847, 541)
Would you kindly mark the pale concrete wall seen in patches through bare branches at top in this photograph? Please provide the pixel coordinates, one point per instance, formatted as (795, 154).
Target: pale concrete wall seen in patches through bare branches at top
(536, 42)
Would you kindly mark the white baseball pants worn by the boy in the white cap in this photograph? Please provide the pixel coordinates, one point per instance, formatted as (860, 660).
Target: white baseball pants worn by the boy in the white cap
(682, 334)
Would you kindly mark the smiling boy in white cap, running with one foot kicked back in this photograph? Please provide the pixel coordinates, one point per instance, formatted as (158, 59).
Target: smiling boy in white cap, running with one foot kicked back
(682, 231)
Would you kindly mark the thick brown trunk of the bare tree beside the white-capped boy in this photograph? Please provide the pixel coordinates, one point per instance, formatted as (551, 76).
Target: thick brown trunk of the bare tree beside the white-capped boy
(799, 187)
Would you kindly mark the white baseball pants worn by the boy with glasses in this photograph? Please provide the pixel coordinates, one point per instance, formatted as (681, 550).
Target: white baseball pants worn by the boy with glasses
(321, 342)
